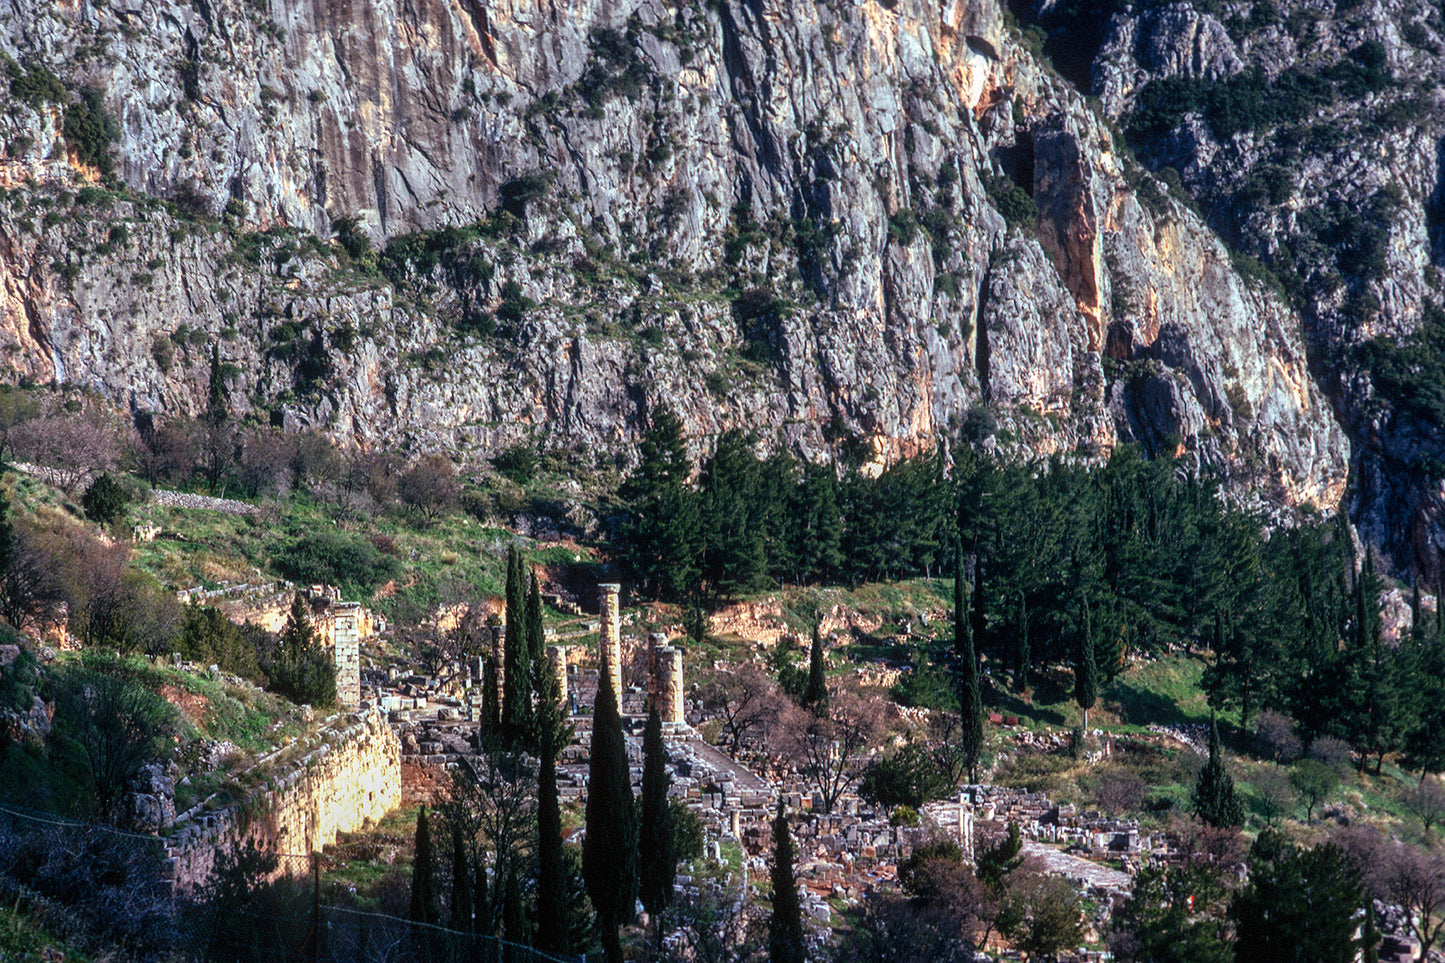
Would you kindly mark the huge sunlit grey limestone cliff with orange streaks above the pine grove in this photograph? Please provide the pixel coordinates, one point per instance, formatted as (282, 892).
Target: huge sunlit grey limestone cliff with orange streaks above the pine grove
(761, 213)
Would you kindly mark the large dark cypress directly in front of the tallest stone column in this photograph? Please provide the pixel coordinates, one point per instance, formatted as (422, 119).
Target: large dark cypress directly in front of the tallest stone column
(611, 847)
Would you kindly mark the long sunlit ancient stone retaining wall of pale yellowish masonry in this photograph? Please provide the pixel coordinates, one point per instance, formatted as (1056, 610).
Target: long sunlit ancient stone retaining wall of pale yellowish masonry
(346, 777)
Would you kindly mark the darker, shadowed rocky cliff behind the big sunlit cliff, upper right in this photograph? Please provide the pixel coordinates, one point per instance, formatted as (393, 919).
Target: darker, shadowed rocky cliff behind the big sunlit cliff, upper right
(1323, 161)
